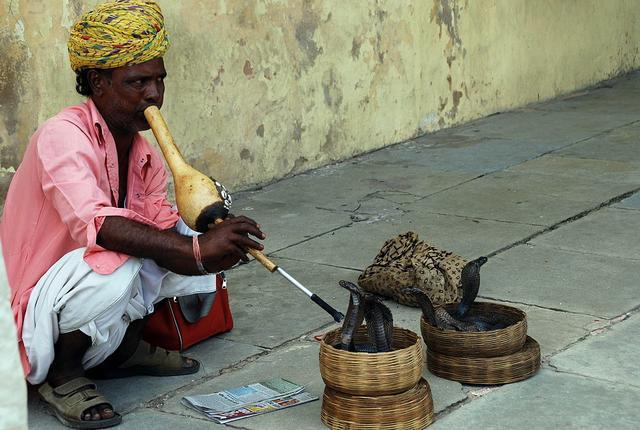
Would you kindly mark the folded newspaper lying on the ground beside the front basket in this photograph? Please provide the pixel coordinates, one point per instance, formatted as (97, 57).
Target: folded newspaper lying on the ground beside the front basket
(249, 400)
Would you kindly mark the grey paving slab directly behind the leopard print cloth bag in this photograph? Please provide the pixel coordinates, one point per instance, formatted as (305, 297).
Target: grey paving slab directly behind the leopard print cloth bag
(357, 245)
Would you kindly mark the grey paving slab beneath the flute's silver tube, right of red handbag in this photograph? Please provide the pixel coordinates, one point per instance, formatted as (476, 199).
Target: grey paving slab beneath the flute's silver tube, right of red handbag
(268, 310)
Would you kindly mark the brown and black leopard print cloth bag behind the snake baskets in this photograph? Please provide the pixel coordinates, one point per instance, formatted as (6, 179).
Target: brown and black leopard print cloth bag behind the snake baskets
(404, 261)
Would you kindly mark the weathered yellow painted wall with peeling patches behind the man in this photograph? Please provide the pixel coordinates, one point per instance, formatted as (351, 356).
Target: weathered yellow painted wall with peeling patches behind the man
(259, 89)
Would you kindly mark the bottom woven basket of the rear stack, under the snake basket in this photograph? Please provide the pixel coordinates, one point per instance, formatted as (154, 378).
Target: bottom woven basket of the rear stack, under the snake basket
(489, 370)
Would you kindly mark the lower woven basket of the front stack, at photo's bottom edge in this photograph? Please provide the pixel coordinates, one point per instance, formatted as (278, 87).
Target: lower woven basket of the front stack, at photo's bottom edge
(412, 409)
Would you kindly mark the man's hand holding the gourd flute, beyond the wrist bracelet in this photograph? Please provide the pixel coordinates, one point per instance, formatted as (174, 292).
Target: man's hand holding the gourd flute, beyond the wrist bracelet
(227, 242)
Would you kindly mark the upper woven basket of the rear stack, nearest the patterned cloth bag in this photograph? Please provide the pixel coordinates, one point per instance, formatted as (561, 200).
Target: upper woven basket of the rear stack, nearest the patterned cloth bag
(493, 343)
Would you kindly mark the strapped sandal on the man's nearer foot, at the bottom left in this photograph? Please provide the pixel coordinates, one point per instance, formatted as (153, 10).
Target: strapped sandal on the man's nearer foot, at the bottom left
(70, 401)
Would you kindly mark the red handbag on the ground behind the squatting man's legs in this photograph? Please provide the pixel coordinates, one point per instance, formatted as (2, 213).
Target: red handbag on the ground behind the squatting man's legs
(169, 327)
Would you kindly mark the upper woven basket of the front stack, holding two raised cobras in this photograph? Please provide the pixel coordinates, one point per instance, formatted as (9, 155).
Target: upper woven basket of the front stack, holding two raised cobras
(372, 374)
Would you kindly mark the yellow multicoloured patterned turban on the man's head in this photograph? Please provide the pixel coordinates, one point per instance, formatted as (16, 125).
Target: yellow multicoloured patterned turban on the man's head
(118, 33)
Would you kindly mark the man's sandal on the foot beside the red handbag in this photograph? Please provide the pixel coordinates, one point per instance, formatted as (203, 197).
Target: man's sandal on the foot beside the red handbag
(148, 360)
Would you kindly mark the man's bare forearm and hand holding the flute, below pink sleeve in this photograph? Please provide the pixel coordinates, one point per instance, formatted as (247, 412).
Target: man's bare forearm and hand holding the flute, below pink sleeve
(221, 247)
